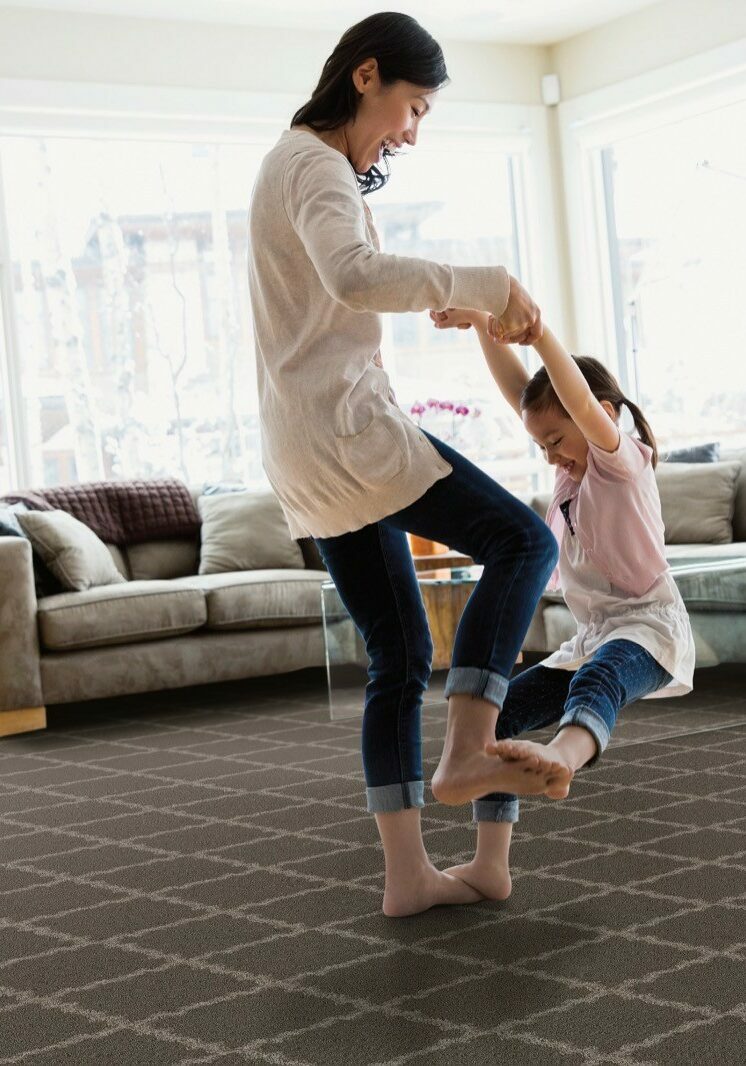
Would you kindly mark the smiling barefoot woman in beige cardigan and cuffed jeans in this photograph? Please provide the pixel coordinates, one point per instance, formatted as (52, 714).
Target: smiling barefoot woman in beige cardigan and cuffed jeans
(351, 470)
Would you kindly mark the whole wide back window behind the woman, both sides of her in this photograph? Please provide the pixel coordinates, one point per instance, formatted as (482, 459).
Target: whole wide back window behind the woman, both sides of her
(132, 343)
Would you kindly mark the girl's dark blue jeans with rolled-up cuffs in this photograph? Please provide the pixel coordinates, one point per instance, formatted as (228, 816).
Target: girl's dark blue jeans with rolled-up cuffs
(592, 697)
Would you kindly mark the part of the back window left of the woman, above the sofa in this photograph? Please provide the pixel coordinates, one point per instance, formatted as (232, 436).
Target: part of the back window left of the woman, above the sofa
(132, 308)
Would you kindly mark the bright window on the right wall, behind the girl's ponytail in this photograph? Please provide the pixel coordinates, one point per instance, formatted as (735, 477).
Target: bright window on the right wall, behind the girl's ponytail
(670, 222)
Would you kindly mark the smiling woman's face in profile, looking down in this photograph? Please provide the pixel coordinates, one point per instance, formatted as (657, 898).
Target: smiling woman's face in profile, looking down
(387, 117)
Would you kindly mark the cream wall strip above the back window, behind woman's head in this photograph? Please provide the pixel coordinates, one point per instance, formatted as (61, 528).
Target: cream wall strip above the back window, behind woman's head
(94, 49)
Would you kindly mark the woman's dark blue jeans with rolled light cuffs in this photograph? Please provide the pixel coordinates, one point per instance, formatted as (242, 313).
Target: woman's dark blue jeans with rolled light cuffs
(374, 571)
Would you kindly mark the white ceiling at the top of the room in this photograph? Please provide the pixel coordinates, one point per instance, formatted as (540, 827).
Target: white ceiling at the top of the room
(515, 22)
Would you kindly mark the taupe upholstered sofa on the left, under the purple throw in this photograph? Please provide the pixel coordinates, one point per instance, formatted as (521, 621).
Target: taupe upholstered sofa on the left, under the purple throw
(166, 627)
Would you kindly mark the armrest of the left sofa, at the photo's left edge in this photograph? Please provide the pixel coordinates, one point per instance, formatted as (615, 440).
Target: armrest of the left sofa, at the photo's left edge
(21, 682)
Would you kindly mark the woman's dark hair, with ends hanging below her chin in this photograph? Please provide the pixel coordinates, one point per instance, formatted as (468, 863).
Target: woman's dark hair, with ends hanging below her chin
(406, 52)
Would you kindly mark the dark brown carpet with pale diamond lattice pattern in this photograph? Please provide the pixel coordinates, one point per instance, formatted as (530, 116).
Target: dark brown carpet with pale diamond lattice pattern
(192, 878)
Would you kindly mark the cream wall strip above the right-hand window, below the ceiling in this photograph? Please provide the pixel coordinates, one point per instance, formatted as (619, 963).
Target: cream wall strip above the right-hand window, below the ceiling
(650, 39)
